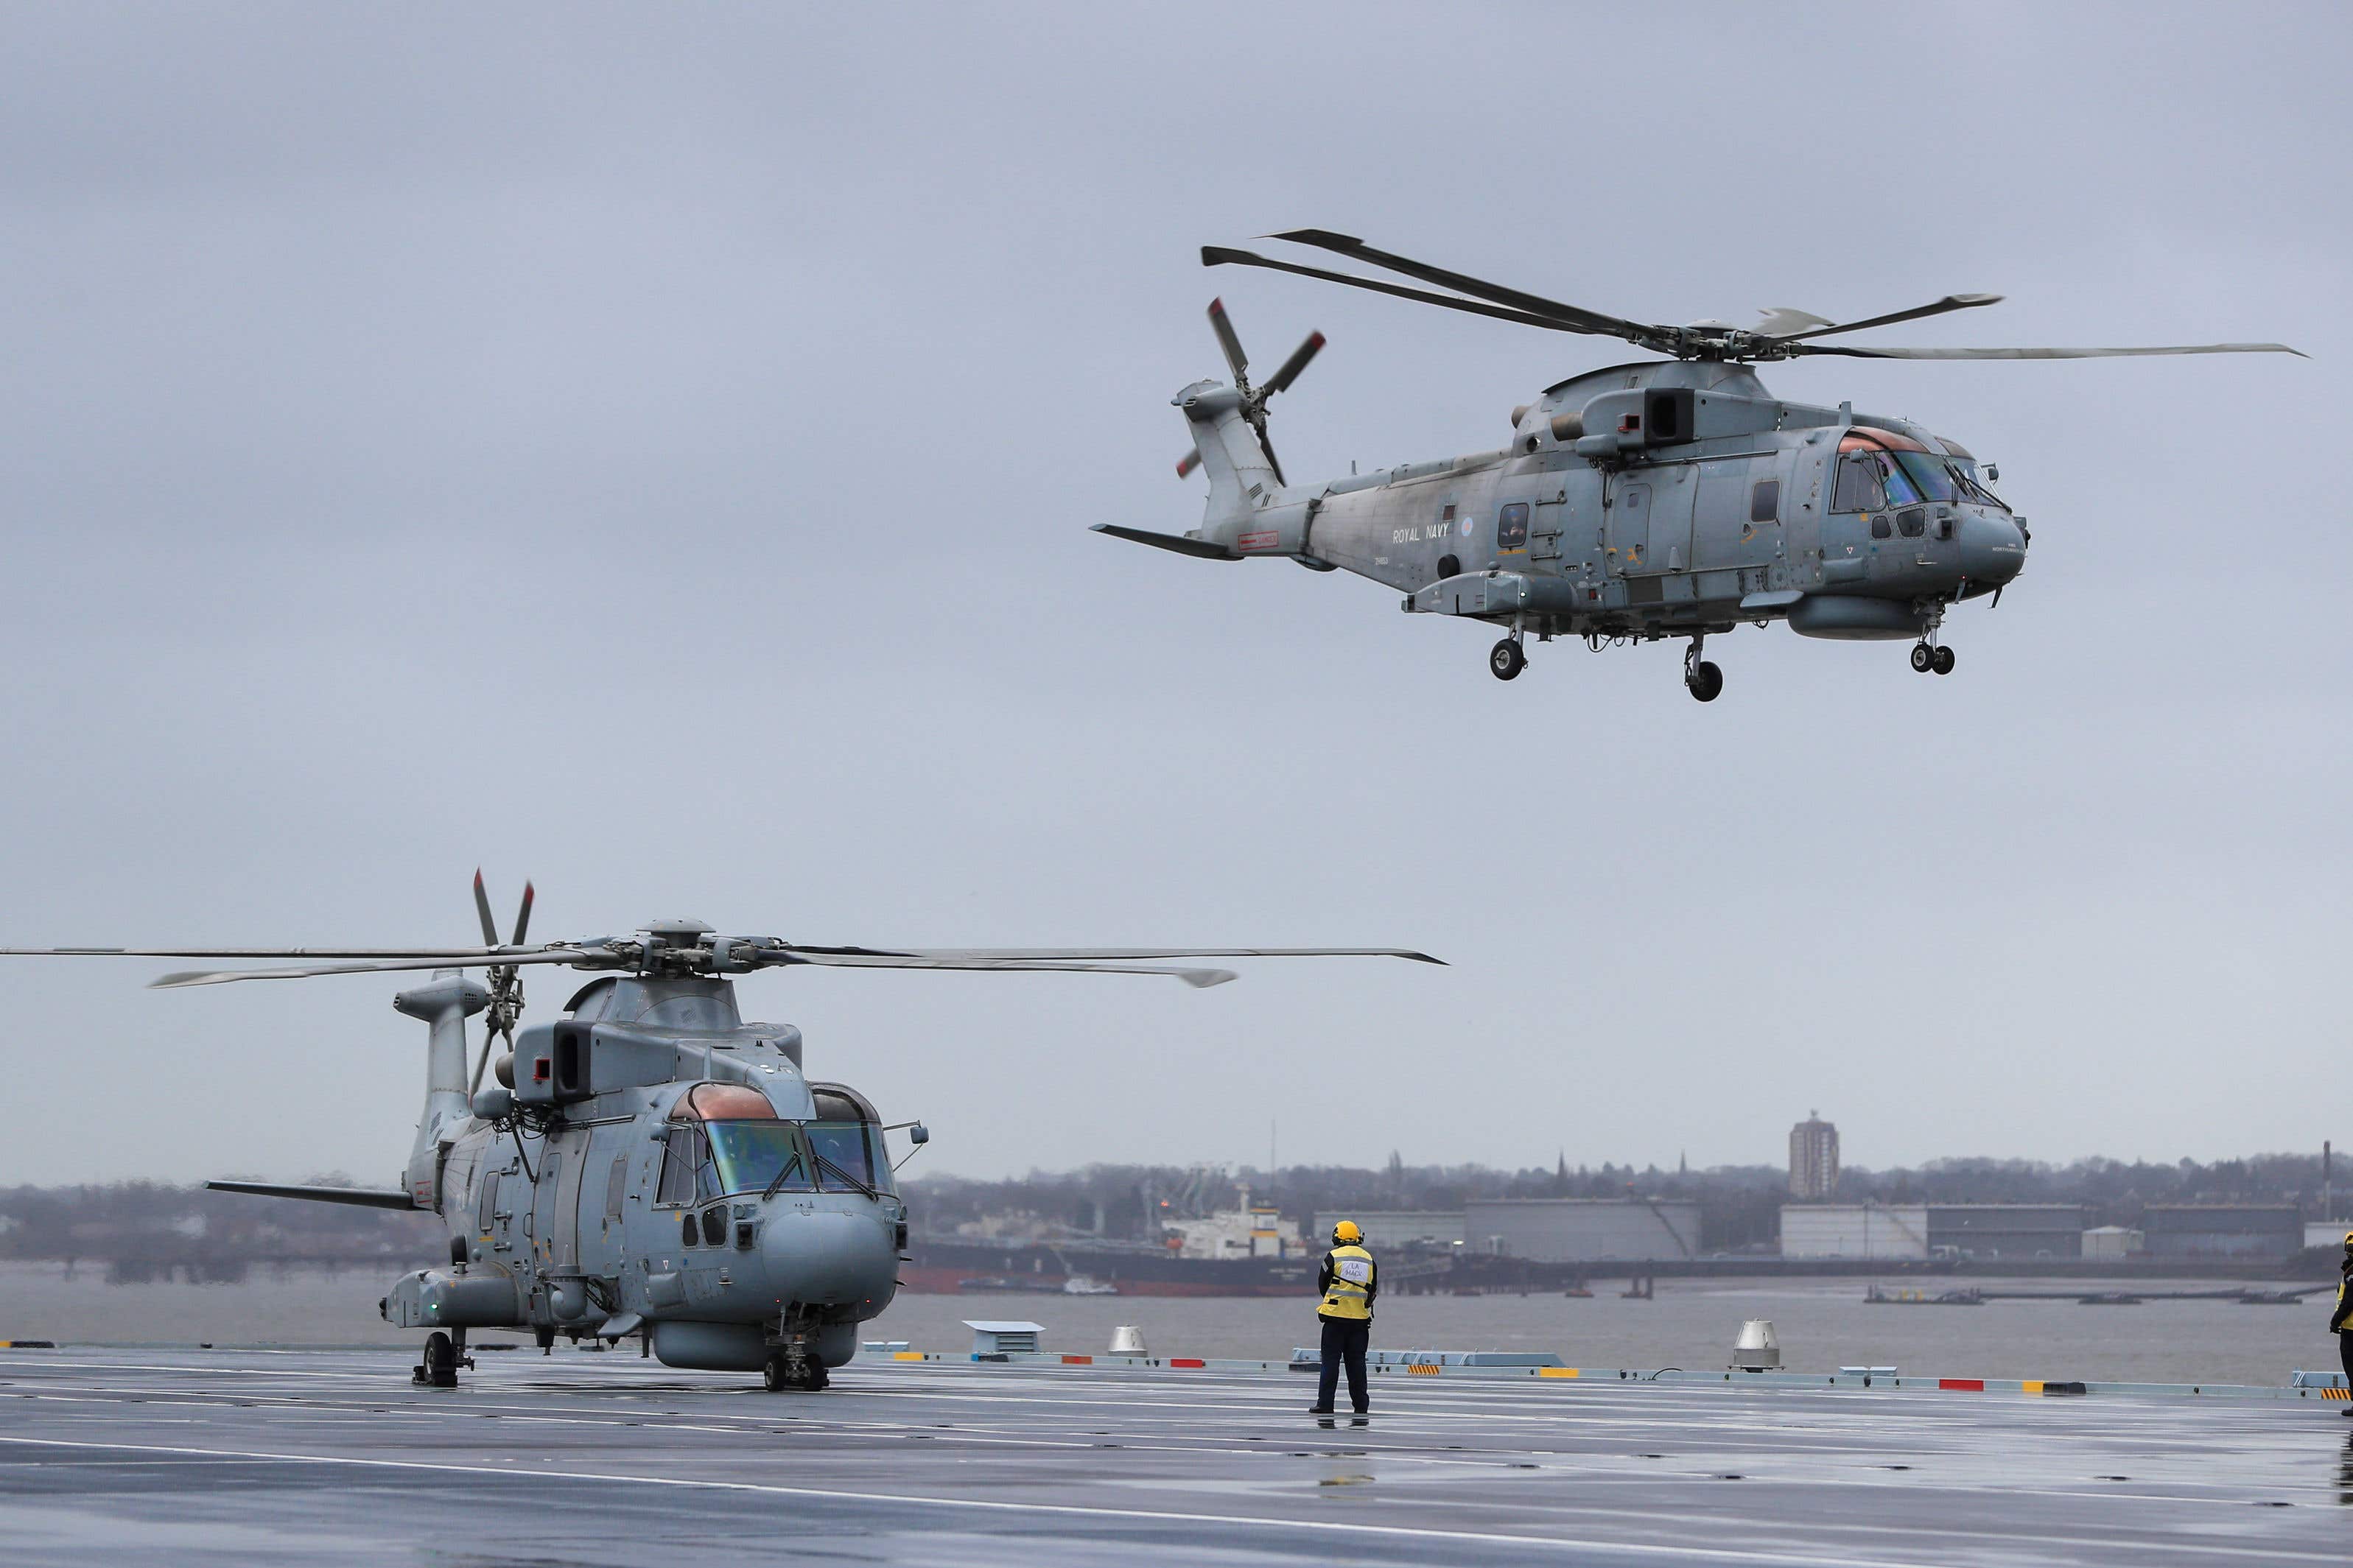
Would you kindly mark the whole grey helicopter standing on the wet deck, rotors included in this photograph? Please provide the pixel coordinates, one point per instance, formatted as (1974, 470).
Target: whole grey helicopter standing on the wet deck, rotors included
(651, 1165)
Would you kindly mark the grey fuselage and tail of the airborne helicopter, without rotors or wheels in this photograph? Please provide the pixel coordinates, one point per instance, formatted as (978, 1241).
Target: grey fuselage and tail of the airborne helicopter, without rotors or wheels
(1632, 502)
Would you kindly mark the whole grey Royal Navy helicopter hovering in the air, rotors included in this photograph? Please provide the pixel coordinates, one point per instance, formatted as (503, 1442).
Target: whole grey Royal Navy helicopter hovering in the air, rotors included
(1639, 502)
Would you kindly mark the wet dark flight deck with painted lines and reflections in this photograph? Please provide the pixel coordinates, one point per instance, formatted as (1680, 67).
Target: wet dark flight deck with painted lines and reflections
(599, 1459)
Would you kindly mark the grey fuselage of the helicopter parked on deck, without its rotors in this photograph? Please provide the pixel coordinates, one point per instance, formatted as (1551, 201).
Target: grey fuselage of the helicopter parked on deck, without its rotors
(578, 1217)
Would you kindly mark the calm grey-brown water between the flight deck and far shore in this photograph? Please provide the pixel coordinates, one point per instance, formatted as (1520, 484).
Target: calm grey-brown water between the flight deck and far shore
(1822, 1325)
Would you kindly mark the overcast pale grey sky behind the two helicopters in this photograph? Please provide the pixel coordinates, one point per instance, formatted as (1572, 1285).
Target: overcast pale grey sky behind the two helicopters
(651, 450)
